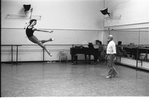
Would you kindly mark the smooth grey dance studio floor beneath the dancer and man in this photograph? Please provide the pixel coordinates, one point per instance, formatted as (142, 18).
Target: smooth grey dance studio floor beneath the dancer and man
(64, 79)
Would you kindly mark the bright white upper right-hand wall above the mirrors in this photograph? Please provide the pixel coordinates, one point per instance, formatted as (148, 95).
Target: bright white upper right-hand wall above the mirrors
(131, 11)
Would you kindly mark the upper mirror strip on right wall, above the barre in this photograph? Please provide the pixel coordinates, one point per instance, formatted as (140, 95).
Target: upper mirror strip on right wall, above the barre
(138, 37)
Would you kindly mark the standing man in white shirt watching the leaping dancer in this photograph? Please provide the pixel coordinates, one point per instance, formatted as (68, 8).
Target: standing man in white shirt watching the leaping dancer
(111, 51)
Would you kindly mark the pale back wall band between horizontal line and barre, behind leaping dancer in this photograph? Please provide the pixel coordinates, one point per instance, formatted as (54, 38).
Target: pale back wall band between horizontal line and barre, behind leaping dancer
(18, 36)
